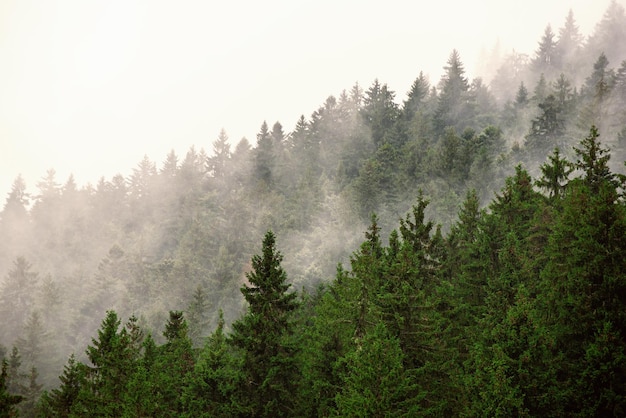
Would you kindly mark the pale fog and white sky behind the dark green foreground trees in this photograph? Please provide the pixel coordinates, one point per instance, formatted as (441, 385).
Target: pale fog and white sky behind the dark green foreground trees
(139, 191)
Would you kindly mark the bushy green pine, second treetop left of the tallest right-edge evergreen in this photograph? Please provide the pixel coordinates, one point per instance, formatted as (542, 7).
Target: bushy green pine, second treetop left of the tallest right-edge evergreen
(506, 352)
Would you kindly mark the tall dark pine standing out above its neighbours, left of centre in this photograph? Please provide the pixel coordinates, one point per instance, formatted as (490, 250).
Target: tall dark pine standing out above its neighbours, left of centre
(263, 336)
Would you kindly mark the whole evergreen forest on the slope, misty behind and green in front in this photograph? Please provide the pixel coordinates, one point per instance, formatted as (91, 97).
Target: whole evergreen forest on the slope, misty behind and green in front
(458, 252)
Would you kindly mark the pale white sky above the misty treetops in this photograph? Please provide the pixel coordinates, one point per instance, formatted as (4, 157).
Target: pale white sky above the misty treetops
(90, 87)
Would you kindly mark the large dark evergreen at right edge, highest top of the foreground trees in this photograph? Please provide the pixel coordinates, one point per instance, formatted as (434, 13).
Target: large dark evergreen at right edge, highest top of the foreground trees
(583, 291)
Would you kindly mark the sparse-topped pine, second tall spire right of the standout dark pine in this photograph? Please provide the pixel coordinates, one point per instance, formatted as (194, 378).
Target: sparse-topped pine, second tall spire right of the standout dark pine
(410, 300)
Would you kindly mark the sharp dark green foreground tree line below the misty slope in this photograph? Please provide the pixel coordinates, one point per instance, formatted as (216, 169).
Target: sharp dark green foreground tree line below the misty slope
(517, 311)
